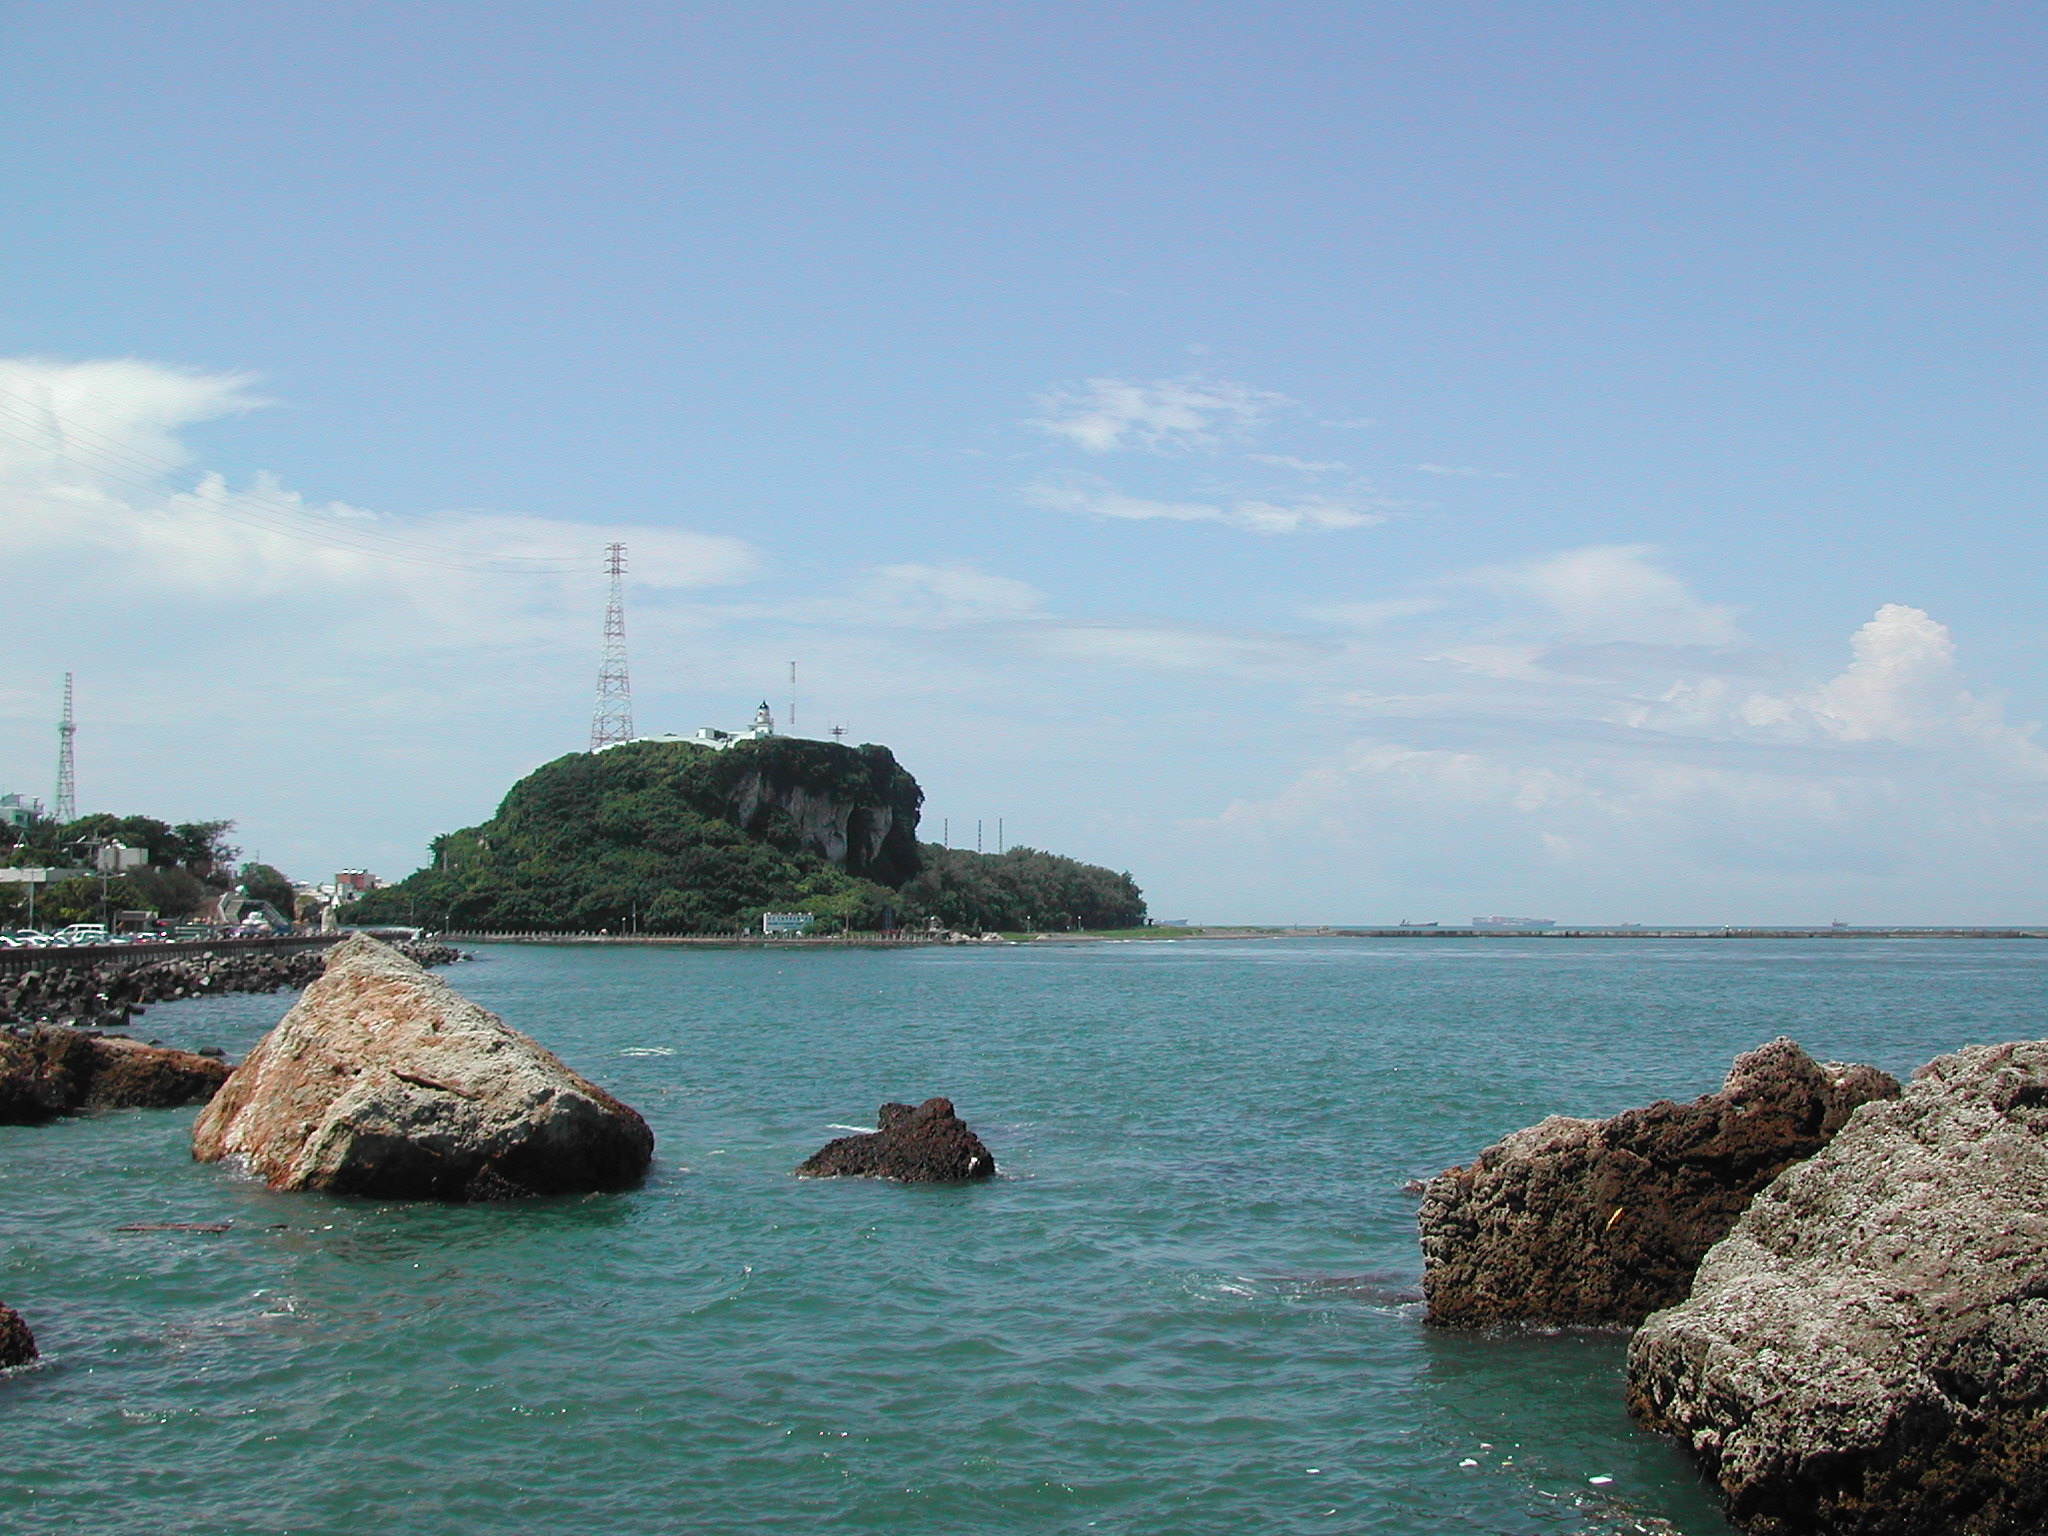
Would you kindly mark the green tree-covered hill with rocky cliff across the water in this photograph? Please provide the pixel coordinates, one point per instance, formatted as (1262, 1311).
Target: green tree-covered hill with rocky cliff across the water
(673, 839)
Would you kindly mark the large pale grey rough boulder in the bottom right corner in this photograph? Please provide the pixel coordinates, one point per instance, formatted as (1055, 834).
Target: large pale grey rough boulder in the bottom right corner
(1869, 1349)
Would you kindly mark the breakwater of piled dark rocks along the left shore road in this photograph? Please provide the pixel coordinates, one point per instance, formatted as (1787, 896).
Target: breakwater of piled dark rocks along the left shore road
(108, 986)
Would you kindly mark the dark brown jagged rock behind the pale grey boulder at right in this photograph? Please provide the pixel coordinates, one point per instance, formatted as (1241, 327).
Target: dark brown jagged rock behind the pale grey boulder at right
(1605, 1222)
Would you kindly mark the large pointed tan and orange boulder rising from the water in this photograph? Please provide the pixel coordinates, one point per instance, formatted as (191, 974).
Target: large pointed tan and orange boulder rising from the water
(386, 1082)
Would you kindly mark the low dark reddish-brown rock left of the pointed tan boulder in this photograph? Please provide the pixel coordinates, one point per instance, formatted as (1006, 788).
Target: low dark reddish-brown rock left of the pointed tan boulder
(50, 1070)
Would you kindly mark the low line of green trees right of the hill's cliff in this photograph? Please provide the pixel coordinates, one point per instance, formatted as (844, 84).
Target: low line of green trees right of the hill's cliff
(1021, 890)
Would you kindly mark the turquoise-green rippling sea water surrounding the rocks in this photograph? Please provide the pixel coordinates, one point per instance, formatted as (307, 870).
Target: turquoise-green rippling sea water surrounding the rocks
(1185, 1308)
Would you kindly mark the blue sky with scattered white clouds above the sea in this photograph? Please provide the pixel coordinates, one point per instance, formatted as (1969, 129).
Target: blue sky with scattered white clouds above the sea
(1336, 462)
